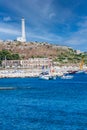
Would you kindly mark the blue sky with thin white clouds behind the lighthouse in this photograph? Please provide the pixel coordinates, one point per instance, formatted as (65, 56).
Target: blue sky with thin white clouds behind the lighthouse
(62, 22)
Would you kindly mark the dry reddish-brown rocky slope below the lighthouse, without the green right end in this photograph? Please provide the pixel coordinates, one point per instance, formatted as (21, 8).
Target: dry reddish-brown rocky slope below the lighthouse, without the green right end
(33, 49)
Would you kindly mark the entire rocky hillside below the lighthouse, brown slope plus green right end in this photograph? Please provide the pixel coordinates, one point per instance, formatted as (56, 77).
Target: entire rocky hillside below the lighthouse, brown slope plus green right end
(60, 54)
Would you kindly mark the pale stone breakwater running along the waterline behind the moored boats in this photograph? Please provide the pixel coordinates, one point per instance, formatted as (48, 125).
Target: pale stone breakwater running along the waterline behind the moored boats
(35, 72)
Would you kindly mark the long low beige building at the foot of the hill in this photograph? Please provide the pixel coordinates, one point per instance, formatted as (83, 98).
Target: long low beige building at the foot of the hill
(30, 63)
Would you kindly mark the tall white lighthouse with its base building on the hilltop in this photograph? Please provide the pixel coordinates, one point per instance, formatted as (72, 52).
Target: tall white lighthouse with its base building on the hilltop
(23, 37)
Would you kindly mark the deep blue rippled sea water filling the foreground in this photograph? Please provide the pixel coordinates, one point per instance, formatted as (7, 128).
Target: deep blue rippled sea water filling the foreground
(37, 104)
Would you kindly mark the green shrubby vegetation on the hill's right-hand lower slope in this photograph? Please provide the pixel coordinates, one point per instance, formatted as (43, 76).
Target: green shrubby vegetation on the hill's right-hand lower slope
(70, 57)
